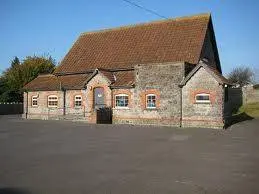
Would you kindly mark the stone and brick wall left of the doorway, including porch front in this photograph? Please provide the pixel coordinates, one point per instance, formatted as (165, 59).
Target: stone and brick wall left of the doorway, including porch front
(86, 112)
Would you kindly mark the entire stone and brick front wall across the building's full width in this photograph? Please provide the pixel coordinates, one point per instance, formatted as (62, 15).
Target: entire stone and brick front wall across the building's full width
(162, 80)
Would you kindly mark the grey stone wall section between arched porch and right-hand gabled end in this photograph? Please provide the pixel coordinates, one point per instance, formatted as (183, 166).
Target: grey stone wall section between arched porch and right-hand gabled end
(161, 80)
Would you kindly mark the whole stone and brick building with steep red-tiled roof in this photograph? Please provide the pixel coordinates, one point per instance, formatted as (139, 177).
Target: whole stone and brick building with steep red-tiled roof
(164, 72)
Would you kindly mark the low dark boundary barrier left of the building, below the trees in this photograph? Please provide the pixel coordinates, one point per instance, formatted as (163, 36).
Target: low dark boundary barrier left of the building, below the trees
(11, 108)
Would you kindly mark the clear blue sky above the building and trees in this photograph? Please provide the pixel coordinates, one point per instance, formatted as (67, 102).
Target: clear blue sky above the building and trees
(49, 27)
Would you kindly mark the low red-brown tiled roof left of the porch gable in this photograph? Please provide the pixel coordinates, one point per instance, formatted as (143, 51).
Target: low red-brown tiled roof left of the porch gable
(52, 82)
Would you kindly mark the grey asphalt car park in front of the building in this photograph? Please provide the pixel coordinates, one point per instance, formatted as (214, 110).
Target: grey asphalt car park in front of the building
(67, 157)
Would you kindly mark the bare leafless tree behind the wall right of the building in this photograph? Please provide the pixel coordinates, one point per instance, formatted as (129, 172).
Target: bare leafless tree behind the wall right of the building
(241, 76)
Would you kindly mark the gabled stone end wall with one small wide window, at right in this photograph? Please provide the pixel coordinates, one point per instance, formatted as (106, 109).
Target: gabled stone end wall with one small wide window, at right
(202, 114)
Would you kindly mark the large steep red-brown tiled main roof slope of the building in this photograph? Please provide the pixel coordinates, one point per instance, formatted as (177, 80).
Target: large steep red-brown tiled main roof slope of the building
(171, 40)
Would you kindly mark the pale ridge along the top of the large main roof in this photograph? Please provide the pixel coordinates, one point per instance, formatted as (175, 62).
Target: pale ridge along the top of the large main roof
(196, 16)
